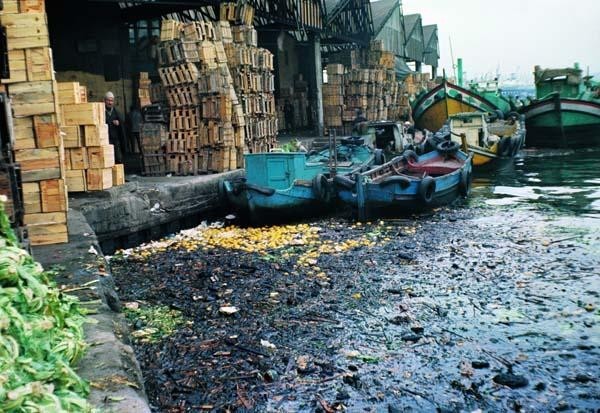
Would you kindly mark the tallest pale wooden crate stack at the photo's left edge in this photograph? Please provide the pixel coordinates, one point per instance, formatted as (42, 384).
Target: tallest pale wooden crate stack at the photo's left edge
(37, 141)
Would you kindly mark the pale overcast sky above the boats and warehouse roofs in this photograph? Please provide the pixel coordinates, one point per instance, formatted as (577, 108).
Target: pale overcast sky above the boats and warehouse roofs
(512, 36)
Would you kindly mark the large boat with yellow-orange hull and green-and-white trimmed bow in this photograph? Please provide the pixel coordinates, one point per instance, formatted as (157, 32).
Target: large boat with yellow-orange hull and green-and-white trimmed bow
(433, 108)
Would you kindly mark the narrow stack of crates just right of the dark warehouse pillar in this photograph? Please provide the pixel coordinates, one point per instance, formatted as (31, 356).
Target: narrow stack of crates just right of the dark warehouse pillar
(333, 96)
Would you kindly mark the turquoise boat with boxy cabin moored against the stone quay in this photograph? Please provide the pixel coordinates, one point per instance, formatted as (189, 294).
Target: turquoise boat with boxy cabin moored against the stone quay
(294, 184)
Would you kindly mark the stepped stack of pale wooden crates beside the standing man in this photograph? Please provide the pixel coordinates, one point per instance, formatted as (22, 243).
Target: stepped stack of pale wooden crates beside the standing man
(89, 158)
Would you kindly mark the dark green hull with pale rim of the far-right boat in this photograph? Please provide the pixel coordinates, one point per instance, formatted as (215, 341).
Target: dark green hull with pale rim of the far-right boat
(562, 123)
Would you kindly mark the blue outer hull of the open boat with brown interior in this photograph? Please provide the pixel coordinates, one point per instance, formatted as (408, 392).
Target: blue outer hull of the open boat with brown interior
(397, 198)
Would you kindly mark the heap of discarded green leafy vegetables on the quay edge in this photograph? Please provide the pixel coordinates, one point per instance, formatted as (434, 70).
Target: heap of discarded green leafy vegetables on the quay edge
(41, 336)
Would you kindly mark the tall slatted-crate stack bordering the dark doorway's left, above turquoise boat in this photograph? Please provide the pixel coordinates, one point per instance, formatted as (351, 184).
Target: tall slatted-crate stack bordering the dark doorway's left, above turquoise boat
(251, 68)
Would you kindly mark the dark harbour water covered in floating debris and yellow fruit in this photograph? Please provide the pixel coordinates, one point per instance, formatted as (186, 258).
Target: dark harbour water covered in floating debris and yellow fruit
(490, 304)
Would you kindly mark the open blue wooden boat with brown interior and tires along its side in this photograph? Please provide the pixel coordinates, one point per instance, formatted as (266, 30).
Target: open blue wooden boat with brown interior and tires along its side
(408, 182)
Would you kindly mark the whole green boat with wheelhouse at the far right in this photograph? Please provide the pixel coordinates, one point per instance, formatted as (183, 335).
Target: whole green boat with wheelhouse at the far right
(566, 111)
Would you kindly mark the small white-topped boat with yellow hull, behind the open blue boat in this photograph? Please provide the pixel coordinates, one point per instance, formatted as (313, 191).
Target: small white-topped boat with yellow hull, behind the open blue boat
(492, 143)
